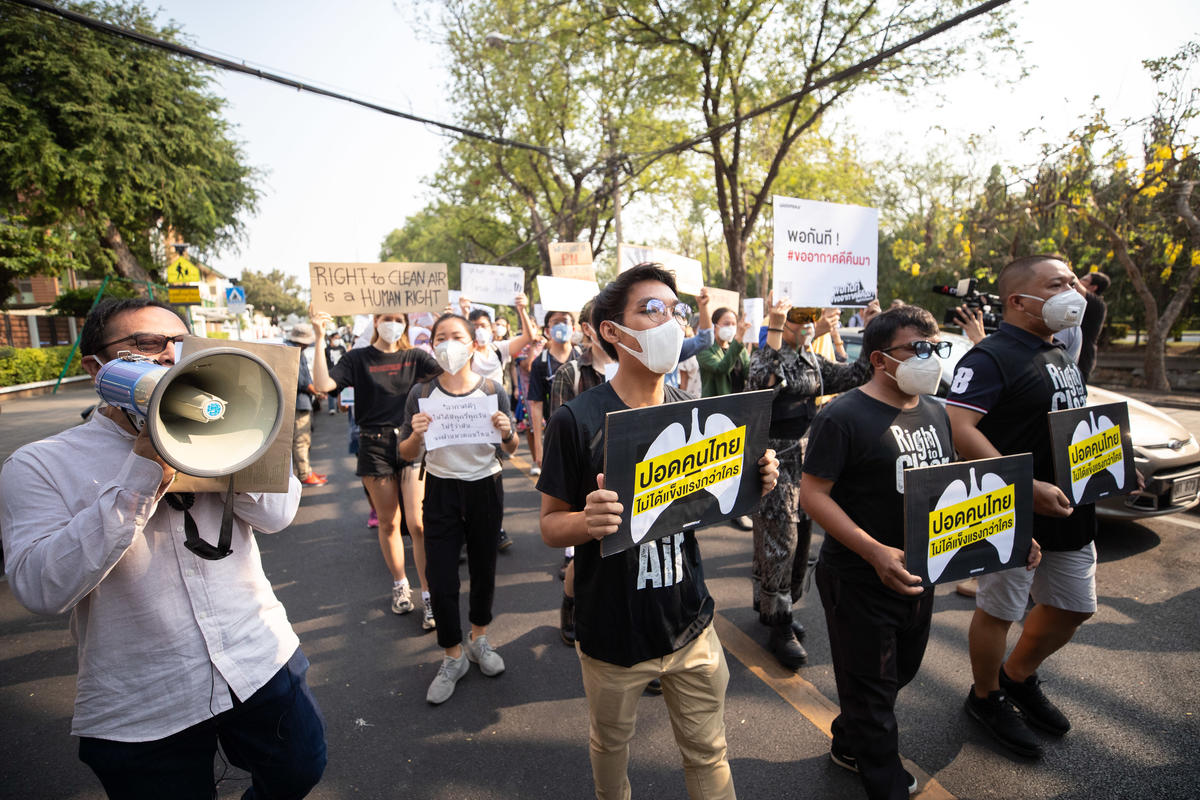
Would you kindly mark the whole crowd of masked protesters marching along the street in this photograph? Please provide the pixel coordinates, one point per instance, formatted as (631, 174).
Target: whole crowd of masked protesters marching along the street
(835, 444)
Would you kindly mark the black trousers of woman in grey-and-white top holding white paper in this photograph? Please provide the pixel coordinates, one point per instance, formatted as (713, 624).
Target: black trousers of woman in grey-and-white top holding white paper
(457, 513)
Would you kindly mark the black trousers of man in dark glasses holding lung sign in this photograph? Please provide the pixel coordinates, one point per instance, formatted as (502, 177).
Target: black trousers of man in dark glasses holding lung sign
(878, 640)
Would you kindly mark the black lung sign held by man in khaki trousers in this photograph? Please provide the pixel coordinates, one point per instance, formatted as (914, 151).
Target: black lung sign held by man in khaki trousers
(679, 467)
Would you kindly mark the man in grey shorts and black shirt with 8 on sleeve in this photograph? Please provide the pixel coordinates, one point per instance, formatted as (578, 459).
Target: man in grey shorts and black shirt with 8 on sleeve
(999, 401)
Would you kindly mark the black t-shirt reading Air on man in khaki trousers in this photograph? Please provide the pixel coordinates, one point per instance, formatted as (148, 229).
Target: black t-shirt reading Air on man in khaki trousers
(643, 604)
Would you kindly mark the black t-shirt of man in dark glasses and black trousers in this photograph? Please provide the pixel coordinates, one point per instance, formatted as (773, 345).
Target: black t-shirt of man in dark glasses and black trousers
(863, 446)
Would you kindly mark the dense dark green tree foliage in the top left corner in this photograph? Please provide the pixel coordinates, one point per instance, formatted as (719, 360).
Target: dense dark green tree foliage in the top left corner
(106, 146)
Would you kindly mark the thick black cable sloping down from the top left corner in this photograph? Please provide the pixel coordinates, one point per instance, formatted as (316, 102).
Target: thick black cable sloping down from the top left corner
(235, 67)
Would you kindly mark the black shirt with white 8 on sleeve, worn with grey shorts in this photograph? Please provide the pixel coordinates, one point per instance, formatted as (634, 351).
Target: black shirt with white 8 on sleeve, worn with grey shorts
(1015, 380)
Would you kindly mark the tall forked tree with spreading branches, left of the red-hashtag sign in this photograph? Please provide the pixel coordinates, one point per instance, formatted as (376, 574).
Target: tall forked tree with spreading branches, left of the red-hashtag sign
(734, 57)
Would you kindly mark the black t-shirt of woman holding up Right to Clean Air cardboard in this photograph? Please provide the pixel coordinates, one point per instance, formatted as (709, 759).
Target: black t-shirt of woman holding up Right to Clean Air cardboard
(382, 382)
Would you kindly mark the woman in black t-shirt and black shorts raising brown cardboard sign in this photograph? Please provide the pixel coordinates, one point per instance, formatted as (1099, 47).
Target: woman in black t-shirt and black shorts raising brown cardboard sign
(382, 376)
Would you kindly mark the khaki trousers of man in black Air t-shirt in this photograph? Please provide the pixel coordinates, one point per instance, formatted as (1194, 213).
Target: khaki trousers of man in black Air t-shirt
(694, 681)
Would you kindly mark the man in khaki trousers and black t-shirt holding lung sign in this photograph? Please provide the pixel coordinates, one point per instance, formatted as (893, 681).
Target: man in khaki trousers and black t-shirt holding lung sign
(644, 613)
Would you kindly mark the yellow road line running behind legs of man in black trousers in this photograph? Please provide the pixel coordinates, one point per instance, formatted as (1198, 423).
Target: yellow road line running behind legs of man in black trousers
(803, 696)
